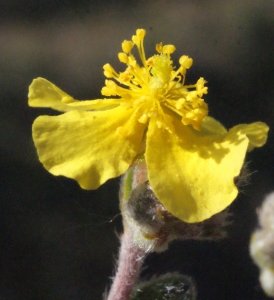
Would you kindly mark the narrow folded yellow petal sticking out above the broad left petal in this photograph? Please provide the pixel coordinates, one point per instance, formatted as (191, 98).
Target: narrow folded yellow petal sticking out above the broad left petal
(43, 93)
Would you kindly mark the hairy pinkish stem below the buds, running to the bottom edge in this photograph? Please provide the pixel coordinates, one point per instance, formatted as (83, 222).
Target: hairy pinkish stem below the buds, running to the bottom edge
(130, 262)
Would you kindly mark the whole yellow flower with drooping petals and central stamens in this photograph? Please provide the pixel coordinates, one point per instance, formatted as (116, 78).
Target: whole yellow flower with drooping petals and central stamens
(191, 158)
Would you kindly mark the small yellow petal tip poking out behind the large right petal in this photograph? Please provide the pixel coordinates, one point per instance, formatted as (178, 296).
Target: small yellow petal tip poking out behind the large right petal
(256, 133)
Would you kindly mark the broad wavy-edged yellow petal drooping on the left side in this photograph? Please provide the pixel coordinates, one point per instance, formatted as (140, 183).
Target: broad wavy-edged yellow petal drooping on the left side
(90, 147)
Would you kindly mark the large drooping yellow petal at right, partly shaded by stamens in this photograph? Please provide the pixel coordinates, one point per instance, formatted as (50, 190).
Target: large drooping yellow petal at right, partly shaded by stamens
(192, 175)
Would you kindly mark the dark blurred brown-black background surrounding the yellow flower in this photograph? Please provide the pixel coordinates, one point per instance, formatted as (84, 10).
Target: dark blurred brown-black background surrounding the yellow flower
(58, 241)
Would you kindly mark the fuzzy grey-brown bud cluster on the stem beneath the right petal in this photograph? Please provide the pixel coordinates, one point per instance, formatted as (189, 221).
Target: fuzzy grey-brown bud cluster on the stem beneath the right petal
(153, 227)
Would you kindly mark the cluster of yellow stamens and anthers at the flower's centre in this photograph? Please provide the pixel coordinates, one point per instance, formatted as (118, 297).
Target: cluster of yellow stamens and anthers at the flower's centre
(156, 85)
